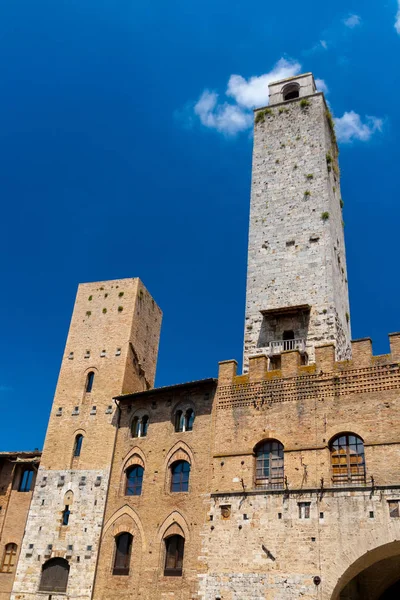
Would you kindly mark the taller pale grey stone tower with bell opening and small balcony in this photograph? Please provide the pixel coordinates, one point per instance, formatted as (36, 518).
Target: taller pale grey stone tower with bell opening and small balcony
(297, 293)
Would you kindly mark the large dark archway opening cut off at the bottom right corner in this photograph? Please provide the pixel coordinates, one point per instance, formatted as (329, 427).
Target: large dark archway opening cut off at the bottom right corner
(374, 576)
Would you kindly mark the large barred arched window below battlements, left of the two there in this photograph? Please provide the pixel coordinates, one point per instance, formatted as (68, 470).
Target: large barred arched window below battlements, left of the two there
(269, 464)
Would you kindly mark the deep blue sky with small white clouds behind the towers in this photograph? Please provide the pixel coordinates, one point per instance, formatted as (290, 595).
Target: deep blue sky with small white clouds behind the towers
(126, 151)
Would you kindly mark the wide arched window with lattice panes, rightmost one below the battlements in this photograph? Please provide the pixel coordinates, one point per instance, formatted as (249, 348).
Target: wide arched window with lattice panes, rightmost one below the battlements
(347, 459)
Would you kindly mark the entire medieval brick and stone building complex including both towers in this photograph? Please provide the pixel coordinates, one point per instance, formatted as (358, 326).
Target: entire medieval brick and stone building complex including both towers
(279, 483)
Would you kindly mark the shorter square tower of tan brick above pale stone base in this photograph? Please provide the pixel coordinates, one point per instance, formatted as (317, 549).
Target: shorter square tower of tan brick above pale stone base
(111, 349)
